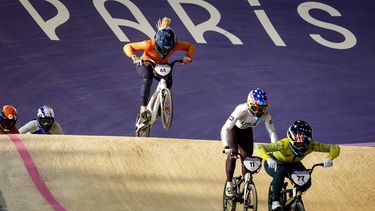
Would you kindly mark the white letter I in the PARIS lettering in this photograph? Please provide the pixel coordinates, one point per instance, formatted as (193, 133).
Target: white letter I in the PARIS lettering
(266, 23)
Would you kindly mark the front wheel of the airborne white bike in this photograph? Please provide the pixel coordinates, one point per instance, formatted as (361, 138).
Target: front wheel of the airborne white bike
(166, 108)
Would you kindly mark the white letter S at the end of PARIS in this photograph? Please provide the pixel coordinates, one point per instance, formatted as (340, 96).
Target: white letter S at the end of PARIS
(349, 39)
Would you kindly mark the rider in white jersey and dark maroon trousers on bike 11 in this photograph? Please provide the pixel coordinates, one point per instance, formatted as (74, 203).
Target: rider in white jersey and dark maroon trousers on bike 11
(237, 132)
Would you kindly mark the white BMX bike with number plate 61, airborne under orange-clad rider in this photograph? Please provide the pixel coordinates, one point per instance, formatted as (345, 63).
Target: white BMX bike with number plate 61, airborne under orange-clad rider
(160, 102)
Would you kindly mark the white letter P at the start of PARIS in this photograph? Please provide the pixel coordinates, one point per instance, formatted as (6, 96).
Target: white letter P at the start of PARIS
(49, 26)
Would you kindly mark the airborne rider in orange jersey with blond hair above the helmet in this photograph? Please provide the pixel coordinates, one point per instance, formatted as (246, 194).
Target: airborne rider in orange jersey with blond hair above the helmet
(158, 49)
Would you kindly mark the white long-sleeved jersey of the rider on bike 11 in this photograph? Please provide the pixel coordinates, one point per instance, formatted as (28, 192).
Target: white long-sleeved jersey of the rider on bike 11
(242, 118)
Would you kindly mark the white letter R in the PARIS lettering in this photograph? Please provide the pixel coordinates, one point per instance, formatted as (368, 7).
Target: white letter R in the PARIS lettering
(198, 30)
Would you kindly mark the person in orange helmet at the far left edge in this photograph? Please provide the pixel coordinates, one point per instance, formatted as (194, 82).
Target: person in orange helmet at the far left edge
(8, 119)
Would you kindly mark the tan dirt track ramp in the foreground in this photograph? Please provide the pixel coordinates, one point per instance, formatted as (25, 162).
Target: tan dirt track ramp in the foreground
(123, 173)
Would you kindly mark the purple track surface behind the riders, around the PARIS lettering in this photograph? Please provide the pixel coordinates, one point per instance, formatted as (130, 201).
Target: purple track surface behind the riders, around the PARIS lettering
(95, 90)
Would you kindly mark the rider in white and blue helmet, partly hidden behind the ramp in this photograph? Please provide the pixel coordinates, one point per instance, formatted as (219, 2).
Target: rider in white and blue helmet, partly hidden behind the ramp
(43, 124)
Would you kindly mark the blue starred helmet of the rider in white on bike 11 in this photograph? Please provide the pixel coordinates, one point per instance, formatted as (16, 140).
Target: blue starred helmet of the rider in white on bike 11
(257, 102)
